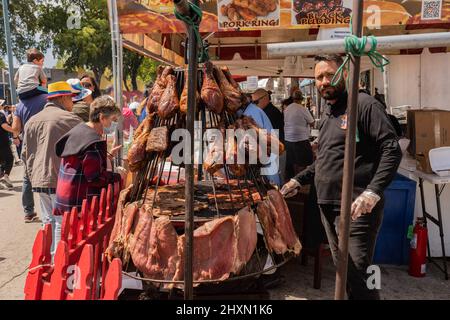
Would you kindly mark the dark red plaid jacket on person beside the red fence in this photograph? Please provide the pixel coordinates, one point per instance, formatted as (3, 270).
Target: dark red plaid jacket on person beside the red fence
(82, 176)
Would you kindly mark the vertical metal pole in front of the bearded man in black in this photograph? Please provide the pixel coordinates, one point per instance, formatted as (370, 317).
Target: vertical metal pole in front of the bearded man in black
(349, 160)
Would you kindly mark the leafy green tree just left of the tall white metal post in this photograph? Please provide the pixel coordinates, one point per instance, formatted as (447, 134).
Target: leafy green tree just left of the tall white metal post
(88, 47)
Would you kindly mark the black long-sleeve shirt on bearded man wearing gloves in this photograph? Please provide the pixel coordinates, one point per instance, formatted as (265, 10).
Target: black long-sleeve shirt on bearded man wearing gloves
(378, 153)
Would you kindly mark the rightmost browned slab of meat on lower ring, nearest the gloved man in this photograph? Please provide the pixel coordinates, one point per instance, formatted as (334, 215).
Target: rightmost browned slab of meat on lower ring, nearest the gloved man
(283, 221)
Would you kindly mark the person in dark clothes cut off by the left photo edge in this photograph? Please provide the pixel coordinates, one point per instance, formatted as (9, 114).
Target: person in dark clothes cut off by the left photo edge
(6, 155)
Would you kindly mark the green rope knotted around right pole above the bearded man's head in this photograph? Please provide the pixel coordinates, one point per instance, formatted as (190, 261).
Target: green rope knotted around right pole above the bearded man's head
(355, 46)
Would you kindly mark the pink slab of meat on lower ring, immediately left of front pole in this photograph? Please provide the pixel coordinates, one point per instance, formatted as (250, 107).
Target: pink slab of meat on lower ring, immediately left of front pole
(153, 246)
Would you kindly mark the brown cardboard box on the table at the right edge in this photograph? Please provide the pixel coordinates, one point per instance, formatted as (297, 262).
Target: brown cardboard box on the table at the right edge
(427, 129)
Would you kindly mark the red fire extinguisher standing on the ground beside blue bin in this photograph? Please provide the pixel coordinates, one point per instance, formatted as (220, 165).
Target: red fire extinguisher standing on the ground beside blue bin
(418, 250)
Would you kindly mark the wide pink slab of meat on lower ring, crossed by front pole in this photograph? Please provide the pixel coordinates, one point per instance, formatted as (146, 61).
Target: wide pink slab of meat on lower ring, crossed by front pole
(215, 251)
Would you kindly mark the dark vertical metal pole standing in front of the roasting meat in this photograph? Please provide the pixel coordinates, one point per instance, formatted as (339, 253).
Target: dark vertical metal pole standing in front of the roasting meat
(182, 7)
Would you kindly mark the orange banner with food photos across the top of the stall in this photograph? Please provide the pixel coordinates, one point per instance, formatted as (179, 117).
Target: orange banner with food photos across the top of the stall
(157, 16)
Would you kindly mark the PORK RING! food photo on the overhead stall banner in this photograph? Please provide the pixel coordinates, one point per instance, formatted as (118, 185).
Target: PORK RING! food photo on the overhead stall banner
(248, 14)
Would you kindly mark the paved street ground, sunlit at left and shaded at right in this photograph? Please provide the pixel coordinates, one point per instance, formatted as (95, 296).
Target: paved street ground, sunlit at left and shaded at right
(17, 240)
